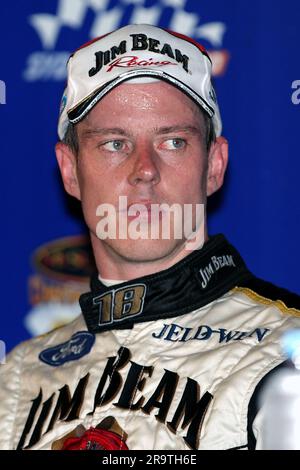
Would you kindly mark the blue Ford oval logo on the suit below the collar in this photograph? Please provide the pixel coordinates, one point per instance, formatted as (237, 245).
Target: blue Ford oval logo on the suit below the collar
(79, 345)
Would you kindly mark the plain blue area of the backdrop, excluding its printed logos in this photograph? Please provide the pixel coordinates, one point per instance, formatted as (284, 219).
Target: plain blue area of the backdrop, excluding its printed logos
(258, 208)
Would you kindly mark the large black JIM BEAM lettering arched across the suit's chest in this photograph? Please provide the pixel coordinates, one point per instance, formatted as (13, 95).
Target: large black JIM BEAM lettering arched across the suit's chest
(178, 403)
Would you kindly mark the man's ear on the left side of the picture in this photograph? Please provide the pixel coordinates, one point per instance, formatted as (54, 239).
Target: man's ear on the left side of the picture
(67, 163)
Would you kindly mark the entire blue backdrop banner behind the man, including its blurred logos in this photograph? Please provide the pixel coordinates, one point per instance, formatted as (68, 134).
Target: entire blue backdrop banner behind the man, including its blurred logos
(254, 46)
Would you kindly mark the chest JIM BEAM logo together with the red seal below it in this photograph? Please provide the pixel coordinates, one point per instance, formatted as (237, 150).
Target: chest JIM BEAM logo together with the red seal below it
(179, 403)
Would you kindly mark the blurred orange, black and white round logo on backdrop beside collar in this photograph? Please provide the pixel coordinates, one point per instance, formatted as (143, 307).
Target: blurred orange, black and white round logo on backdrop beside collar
(62, 269)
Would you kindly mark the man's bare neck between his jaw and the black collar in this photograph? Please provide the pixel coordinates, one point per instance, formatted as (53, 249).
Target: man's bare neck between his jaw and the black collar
(113, 265)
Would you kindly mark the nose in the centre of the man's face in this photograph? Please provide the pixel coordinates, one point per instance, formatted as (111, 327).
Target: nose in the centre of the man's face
(145, 167)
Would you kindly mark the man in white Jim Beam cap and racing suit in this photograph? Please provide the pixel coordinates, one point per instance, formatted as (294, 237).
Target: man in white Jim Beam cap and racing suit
(176, 336)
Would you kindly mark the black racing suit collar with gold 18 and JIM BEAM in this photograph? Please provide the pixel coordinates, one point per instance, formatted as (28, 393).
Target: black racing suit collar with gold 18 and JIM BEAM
(198, 279)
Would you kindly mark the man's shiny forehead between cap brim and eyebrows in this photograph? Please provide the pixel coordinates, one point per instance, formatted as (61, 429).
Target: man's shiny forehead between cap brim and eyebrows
(129, 101)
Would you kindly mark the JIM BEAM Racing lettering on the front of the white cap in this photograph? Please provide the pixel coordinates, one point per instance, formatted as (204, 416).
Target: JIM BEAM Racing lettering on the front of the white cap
(139, 42)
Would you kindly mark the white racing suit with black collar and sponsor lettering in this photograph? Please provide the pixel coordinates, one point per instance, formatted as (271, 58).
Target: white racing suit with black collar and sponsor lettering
(174, 359)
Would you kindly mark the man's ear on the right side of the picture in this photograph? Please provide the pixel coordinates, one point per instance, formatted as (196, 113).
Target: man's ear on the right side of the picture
(217, 164)
